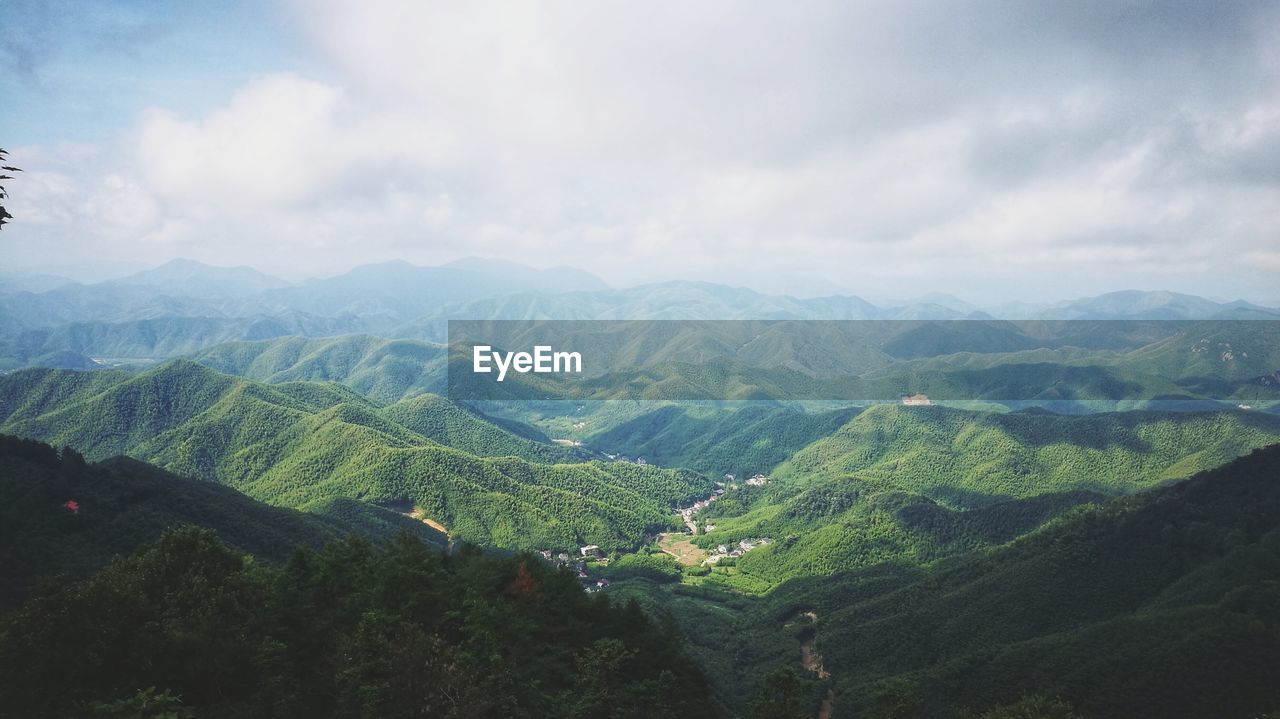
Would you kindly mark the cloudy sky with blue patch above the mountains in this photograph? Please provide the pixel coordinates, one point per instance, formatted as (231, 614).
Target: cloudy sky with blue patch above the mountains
(994, 150)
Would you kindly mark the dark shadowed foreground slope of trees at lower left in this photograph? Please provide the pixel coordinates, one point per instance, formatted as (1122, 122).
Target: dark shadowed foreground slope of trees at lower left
(217, 606)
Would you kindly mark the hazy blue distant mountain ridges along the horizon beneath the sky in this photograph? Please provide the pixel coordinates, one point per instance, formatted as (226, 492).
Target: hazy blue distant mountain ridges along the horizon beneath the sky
(184, 308)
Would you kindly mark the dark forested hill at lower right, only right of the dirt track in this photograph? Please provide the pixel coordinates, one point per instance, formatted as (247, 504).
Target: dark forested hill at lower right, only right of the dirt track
(1164, 604)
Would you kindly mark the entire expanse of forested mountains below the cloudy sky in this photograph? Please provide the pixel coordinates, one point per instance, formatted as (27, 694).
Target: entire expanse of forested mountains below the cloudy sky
(185, 452)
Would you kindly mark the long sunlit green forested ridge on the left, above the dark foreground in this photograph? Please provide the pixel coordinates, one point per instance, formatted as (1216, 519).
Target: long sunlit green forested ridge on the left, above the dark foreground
(305, 446)
